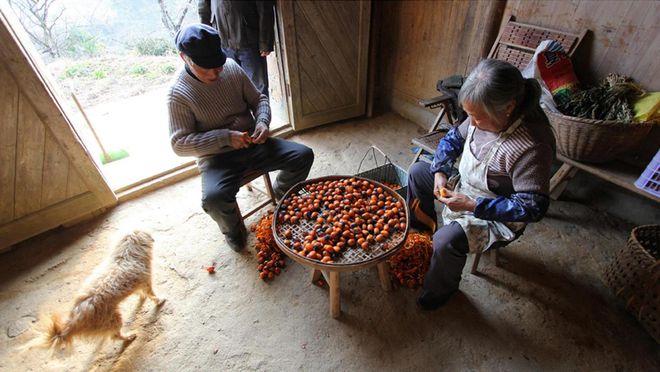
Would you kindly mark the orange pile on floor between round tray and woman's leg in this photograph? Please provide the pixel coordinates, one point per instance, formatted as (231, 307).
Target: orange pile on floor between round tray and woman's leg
(410, 264)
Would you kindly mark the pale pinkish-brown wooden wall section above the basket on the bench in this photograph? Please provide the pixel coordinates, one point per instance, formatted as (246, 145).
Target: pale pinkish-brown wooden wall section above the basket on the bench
(625, 35)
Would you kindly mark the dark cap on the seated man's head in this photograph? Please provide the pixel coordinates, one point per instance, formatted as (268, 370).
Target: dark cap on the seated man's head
(202, 44)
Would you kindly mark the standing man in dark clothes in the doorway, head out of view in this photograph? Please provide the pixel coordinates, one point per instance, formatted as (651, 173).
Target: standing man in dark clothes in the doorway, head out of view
(247, 32)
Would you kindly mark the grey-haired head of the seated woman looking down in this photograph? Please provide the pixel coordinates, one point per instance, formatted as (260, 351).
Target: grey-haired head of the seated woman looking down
(495, 93)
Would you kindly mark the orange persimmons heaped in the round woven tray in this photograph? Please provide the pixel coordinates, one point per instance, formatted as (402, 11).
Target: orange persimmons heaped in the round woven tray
(347, 213)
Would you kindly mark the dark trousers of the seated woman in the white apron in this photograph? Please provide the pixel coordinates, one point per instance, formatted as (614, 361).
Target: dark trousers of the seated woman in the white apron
(450, 245)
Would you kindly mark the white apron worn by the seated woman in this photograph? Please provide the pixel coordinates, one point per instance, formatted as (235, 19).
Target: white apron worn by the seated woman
(473, 183)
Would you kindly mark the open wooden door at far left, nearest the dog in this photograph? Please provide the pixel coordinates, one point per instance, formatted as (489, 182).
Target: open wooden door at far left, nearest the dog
(46, 176)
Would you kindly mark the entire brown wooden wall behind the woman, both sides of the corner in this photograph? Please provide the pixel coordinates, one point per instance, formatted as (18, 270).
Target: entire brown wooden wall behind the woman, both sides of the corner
(423, 41)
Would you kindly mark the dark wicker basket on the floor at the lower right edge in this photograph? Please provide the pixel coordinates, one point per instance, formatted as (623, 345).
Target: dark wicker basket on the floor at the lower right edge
(634, 277)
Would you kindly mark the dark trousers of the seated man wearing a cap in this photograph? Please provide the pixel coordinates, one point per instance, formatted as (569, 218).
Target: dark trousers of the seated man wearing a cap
(222, 176)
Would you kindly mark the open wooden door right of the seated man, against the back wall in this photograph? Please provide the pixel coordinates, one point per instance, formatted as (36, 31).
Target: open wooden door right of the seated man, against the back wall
(326, 48)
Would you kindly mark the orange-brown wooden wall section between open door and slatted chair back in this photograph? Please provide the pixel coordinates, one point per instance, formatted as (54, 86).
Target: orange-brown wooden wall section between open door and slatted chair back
(423, 41)
